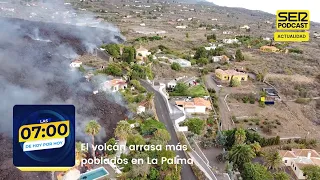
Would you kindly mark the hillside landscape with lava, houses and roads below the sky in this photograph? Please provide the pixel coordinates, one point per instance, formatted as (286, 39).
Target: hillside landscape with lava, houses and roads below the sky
(177, 73)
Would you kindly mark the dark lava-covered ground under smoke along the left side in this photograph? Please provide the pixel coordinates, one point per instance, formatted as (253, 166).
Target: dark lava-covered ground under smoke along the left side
(34, 69)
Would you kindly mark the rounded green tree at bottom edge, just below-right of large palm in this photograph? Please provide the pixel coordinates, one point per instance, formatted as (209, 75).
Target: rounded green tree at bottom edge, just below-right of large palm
(255, 171)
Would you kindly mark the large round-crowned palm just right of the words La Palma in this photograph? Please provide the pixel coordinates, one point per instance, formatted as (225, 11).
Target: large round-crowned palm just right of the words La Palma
(240, 154)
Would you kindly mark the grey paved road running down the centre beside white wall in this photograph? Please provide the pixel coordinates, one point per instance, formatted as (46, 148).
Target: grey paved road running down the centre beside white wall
(164, 116)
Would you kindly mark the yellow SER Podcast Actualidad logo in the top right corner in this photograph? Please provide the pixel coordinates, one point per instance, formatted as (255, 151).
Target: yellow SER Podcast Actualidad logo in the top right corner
(295, 23)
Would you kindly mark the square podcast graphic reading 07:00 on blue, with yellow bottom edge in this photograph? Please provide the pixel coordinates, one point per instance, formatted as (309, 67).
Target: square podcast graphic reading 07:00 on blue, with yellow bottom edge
(43, 137)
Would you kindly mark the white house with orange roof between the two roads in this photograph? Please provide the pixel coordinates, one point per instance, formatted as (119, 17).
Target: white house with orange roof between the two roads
(195, 105)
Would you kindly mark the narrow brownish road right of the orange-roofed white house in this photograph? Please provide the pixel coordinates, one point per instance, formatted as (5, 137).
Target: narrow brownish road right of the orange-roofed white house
(225, 115)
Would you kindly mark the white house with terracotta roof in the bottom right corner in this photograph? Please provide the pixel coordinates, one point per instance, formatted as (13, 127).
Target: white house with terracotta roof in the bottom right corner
(296, 159)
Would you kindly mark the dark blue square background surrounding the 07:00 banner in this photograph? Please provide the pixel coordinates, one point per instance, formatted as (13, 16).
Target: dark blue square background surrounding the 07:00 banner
(36, 114)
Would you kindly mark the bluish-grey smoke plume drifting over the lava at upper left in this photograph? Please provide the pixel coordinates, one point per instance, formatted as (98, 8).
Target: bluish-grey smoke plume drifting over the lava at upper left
(37, 43)
